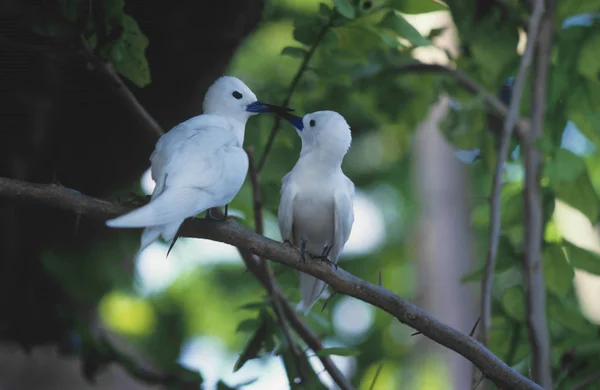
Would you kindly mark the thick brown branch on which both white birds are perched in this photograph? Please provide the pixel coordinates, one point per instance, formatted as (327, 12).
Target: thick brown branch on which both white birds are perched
(232, 233)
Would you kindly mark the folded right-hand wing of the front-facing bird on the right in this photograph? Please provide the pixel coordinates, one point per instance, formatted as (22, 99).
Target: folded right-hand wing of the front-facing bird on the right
(343, 217)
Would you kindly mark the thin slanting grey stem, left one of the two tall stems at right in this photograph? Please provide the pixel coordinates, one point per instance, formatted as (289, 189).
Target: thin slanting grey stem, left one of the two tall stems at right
(495, 211)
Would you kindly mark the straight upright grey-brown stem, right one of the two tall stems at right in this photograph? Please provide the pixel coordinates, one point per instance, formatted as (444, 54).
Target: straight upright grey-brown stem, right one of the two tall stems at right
(533, 278)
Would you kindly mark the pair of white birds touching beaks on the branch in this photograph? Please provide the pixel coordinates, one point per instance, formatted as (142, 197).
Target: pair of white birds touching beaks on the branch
(201, 163)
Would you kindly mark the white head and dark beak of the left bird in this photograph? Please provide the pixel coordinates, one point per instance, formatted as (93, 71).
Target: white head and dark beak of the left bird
(230, 97)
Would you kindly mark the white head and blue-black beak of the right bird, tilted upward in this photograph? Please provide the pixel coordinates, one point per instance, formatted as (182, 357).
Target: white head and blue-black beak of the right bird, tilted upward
(327, 131)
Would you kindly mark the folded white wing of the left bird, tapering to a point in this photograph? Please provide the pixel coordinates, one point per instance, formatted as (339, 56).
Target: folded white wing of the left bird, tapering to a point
(189, 165)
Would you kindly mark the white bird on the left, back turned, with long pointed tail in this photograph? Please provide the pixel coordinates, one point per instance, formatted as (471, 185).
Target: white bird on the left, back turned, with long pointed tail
(199, 164)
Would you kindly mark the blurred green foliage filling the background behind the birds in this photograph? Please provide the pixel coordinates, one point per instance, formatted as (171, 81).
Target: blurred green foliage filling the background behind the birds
(352, 72)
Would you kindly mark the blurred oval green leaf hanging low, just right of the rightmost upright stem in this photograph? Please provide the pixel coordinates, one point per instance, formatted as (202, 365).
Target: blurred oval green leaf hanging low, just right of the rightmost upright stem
(558, 273)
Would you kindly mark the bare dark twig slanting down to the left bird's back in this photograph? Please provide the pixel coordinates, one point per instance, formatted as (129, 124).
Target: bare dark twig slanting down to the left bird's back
(123, 93)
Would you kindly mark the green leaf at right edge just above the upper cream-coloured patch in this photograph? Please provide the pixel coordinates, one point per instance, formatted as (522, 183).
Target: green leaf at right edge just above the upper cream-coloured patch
(580, 194)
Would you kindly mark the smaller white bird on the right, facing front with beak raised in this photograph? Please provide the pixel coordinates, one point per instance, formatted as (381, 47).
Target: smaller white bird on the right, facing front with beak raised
(316, 208)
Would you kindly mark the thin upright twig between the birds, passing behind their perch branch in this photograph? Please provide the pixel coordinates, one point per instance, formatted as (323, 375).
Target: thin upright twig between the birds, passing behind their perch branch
(266, 268)
